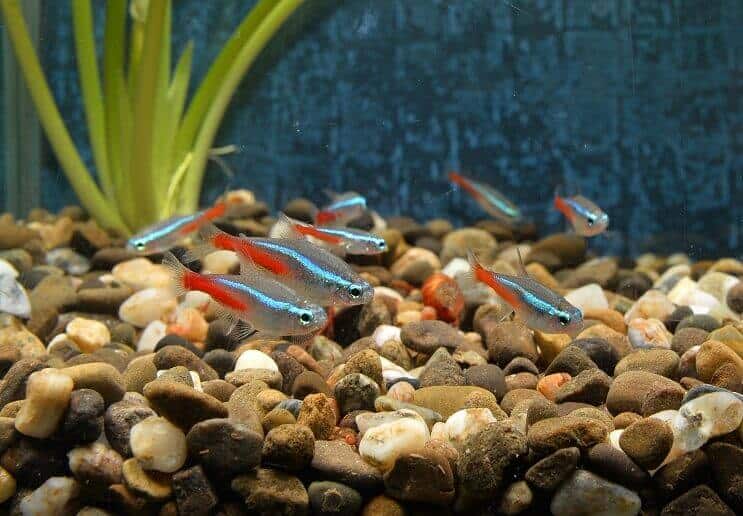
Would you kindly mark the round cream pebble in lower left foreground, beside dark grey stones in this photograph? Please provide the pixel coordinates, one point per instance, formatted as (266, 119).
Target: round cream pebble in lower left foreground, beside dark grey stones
(158, 444)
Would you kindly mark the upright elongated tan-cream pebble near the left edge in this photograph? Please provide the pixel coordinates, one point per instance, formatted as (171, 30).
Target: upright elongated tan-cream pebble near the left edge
(47, 396)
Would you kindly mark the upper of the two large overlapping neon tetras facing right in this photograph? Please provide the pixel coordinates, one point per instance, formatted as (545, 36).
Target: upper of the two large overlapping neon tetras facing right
(306, 268)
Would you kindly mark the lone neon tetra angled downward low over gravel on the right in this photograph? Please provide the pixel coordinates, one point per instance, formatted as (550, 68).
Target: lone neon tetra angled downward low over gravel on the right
(541, 308)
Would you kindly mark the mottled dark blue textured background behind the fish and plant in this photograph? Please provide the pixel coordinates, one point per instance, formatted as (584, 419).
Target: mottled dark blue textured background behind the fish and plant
(637, 104)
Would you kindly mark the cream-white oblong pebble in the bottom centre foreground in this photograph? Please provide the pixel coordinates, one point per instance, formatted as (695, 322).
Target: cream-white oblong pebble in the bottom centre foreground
(381, 445)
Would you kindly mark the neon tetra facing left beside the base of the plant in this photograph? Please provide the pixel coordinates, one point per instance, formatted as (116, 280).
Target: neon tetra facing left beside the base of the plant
(166, 234)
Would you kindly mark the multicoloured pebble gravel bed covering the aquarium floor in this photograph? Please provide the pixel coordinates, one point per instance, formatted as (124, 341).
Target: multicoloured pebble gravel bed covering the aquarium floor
(119, 398)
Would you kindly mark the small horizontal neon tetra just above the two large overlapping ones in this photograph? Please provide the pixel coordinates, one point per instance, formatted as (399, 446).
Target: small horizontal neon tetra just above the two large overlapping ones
(338, 238)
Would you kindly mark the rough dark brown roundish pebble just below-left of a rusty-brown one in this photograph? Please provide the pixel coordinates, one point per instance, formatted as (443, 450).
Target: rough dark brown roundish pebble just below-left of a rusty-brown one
(289, 447)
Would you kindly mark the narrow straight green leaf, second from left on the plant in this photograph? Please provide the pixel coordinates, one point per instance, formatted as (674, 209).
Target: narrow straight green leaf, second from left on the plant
(90, 85)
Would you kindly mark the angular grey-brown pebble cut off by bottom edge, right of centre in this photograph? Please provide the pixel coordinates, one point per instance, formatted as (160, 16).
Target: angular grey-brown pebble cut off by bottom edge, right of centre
(584, 493)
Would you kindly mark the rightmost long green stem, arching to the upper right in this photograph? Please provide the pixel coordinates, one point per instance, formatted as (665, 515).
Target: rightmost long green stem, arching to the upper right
(249, 51)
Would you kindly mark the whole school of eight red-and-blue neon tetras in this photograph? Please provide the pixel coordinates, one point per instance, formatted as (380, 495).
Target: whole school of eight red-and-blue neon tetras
(291, 282)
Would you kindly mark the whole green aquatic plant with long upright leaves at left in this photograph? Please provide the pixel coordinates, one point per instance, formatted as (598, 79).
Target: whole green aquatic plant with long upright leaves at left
(149, 149)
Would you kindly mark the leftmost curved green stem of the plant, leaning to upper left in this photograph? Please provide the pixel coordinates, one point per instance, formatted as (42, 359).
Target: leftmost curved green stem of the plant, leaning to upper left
(78, 175)
